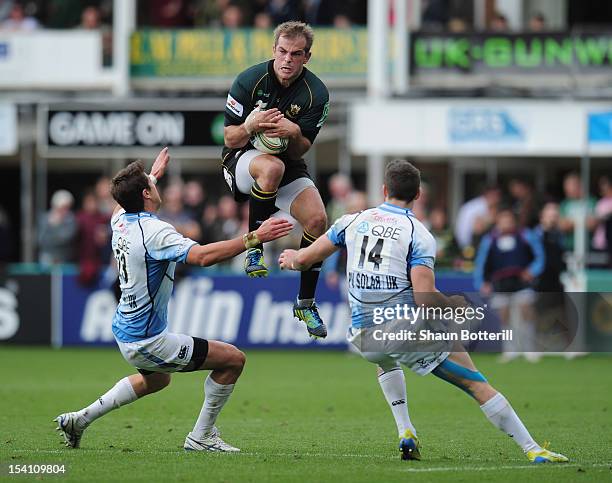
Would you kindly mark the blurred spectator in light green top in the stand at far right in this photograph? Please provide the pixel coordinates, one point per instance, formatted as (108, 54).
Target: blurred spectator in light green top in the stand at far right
(573, 208)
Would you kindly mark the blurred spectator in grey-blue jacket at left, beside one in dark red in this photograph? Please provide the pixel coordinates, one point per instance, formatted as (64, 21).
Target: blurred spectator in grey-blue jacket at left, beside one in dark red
(57, 230)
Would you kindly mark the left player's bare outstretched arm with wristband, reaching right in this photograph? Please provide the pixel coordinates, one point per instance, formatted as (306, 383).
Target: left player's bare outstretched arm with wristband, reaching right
(206, 255)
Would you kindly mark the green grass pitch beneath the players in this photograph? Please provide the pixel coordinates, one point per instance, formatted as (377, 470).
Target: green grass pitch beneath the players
(303, 416)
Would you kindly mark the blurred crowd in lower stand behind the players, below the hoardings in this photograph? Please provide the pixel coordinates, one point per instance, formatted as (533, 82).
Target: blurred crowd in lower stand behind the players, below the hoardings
(71, 233)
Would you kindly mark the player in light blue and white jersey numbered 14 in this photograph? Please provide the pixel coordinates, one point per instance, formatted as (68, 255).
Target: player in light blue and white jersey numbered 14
(390, 263)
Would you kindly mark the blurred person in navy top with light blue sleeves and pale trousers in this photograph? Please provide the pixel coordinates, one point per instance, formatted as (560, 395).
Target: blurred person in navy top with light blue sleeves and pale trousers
(508, 261)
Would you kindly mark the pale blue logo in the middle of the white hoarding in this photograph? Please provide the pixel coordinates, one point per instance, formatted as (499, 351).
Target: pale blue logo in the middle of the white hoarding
(485, 125)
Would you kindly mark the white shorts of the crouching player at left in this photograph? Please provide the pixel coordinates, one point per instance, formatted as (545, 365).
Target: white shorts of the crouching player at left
(165, 352)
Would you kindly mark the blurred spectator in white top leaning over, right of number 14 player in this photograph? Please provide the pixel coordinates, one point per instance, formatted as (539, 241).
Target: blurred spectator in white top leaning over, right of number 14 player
(478, 211)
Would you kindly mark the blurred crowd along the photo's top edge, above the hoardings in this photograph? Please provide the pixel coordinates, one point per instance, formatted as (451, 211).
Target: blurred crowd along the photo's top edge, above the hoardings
(436, 15)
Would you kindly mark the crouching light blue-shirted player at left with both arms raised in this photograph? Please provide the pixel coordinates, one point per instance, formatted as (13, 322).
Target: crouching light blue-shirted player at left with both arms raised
(147, 251)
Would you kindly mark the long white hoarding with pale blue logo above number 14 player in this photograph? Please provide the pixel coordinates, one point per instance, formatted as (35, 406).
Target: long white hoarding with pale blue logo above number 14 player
(471, 127)
